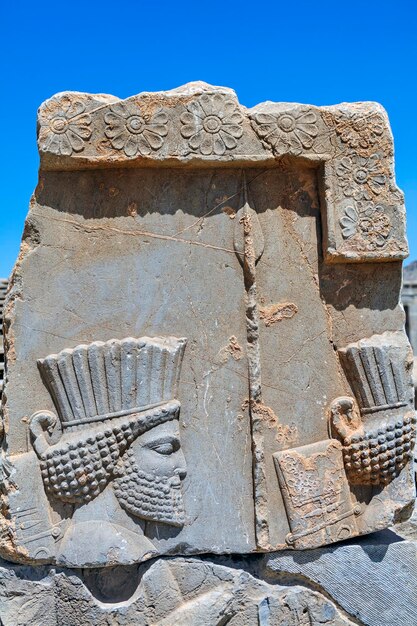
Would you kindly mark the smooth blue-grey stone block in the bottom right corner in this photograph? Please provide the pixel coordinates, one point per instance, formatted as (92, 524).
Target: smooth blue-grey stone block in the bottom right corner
(374, 579)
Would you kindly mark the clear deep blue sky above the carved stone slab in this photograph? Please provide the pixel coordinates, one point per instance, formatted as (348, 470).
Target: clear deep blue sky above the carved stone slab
(314, 52)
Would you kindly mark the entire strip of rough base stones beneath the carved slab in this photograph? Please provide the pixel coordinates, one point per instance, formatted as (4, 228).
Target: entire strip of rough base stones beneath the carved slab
(371, 582)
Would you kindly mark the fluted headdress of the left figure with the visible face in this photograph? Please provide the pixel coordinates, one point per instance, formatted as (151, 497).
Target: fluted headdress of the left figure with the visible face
(104, 380)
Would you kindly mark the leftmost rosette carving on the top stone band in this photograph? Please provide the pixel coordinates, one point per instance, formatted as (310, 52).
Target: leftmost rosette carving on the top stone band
(64, 126)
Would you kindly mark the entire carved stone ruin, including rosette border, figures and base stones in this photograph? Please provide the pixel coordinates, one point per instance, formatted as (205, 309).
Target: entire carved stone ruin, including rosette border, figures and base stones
(206, 357)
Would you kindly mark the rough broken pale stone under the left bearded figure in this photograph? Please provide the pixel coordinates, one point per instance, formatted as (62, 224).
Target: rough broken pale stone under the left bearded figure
(186, 592)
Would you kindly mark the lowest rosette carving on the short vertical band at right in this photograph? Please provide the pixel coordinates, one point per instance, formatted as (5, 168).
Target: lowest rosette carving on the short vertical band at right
(370, 224)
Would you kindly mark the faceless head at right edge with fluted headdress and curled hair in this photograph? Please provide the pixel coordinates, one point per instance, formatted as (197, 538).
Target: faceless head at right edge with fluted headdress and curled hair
(379, 438)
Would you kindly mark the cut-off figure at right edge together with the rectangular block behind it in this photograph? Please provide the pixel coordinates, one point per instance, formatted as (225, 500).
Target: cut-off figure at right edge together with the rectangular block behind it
(370, 446)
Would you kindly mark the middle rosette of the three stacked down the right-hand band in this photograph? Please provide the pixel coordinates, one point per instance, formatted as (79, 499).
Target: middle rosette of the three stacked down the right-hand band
(357, 175)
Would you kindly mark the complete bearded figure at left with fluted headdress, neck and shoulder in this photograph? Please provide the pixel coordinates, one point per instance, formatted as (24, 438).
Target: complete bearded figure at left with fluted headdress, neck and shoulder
(118, 461)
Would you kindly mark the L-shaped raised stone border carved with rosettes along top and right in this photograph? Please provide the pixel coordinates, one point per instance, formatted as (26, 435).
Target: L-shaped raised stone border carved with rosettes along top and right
(199, 125)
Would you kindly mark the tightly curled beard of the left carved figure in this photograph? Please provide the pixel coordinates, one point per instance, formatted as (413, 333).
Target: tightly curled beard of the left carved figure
(150, 497)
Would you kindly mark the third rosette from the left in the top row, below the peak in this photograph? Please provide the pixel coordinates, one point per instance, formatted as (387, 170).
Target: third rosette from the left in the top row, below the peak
(212, 124)
